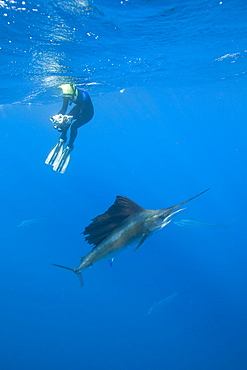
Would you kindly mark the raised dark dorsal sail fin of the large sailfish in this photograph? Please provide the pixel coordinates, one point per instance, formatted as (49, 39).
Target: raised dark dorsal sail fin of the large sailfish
(102, 225)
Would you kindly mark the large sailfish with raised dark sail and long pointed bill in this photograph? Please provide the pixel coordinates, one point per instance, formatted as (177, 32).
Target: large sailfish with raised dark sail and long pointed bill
(123, 224)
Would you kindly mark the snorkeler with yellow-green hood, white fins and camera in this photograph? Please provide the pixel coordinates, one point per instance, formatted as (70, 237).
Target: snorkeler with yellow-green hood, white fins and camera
(81, 113)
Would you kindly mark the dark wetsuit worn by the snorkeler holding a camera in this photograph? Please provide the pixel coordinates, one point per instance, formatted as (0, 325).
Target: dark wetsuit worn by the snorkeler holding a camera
(82, 112)
